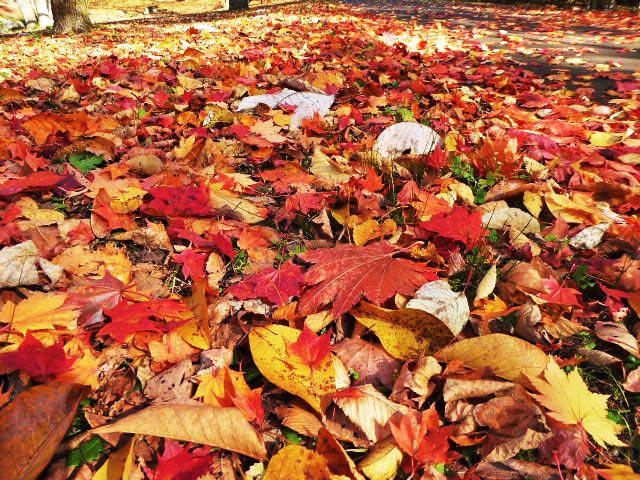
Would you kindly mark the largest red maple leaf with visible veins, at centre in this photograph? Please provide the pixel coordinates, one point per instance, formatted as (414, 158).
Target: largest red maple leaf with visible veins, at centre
(344, 274)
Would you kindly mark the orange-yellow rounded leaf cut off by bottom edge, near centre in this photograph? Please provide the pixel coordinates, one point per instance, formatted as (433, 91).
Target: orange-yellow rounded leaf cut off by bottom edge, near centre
(294, 462)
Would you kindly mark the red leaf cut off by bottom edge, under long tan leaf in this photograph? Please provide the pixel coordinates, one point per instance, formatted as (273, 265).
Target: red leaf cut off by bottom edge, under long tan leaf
(181, 463)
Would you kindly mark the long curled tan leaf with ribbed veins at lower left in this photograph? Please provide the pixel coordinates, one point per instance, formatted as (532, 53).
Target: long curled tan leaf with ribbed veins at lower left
(219, 427)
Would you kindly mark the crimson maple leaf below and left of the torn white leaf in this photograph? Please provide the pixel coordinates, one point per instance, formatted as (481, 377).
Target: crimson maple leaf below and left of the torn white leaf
(178, 202)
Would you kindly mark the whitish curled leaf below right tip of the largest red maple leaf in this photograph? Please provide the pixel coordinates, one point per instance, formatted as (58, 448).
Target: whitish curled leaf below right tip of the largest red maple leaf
(437, 298)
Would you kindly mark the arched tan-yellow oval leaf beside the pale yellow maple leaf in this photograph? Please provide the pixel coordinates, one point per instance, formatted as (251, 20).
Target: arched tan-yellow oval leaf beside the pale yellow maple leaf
(508, 357)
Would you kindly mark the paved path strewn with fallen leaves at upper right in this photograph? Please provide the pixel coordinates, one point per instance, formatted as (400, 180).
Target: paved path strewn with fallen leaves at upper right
(594, 48)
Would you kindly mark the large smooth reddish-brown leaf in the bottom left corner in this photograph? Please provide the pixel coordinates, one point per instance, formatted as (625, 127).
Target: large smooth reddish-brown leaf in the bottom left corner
(33, 425)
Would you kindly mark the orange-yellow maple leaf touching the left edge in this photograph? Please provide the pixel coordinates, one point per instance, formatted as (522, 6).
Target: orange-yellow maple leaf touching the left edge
(40, 311)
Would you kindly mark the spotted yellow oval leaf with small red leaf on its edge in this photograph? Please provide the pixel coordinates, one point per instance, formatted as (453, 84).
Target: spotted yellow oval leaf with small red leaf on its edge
(273, 359)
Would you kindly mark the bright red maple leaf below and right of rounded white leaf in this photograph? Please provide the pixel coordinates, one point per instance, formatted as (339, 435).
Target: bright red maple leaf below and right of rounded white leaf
(459, 224)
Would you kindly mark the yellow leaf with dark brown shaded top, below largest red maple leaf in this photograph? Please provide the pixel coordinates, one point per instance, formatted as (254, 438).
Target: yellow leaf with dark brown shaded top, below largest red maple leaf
(406, 333)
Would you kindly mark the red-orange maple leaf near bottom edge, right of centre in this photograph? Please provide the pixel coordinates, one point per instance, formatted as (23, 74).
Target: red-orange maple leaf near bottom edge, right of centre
(420, 436)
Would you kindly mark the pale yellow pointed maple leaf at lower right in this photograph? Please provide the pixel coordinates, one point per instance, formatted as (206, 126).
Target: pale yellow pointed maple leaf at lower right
(569, 401)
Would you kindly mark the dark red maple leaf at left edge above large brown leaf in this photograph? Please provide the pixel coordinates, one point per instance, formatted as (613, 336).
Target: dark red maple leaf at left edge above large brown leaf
(36, 359)
